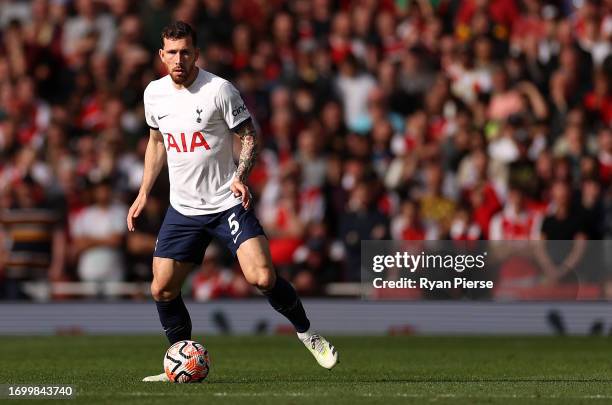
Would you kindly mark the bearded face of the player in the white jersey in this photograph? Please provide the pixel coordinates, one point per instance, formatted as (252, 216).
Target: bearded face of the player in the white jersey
(179, 56)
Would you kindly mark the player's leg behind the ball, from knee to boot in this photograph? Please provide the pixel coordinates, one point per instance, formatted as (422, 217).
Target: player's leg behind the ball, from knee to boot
(168, 278)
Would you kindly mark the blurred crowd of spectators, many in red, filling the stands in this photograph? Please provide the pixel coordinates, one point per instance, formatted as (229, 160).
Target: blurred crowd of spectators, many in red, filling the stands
(380, 119)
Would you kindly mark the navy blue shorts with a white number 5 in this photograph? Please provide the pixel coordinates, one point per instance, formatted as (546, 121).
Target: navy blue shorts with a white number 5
(185, 238)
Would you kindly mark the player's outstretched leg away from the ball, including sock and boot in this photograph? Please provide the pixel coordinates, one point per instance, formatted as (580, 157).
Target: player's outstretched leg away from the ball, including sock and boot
(256, 263)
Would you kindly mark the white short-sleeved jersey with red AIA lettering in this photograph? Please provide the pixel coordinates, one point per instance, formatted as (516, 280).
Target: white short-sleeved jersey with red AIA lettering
(197, 123)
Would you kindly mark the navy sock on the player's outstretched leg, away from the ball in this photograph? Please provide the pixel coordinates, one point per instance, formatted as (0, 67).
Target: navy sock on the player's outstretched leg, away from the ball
(284, 300)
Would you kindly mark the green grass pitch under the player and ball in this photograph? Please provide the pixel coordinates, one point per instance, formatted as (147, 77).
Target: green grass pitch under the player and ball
(276, 370)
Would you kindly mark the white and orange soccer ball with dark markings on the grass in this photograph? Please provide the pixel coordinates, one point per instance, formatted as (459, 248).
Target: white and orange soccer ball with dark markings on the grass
(186, 361)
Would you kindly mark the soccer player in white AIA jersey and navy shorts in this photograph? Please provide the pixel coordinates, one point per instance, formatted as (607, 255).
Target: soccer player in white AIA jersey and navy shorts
(192, 114)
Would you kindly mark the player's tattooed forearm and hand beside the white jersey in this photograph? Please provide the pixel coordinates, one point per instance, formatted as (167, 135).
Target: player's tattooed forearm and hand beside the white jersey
(248, 157)
